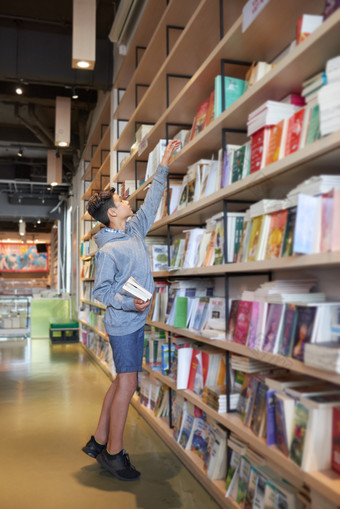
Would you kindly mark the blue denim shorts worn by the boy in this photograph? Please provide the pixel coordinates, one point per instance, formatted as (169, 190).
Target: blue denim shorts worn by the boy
(128, 351)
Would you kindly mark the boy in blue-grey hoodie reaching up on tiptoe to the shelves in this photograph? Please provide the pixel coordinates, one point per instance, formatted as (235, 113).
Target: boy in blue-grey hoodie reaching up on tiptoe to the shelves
(122, 253)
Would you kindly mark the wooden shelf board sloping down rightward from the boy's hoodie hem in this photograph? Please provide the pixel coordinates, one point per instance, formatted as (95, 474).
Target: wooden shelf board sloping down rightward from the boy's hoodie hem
(275, 359)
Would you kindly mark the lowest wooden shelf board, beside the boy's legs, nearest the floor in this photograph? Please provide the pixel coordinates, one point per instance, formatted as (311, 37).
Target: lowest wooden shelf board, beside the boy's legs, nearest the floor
(189, 459)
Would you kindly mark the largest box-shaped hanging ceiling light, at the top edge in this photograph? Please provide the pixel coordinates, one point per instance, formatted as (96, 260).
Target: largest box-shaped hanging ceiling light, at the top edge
(84, 34)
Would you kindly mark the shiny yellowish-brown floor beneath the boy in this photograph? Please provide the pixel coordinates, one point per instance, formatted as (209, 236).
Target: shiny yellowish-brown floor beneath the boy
(50, 397)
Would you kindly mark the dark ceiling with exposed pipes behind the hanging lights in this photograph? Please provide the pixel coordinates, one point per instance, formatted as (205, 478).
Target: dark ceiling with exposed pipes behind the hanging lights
(36, 51)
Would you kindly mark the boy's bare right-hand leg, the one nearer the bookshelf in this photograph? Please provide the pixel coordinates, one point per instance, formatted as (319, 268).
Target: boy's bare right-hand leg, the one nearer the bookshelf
(125, 388)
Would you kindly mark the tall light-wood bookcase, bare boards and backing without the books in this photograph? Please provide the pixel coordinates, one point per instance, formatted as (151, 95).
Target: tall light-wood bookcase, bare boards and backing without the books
(199, 58)
